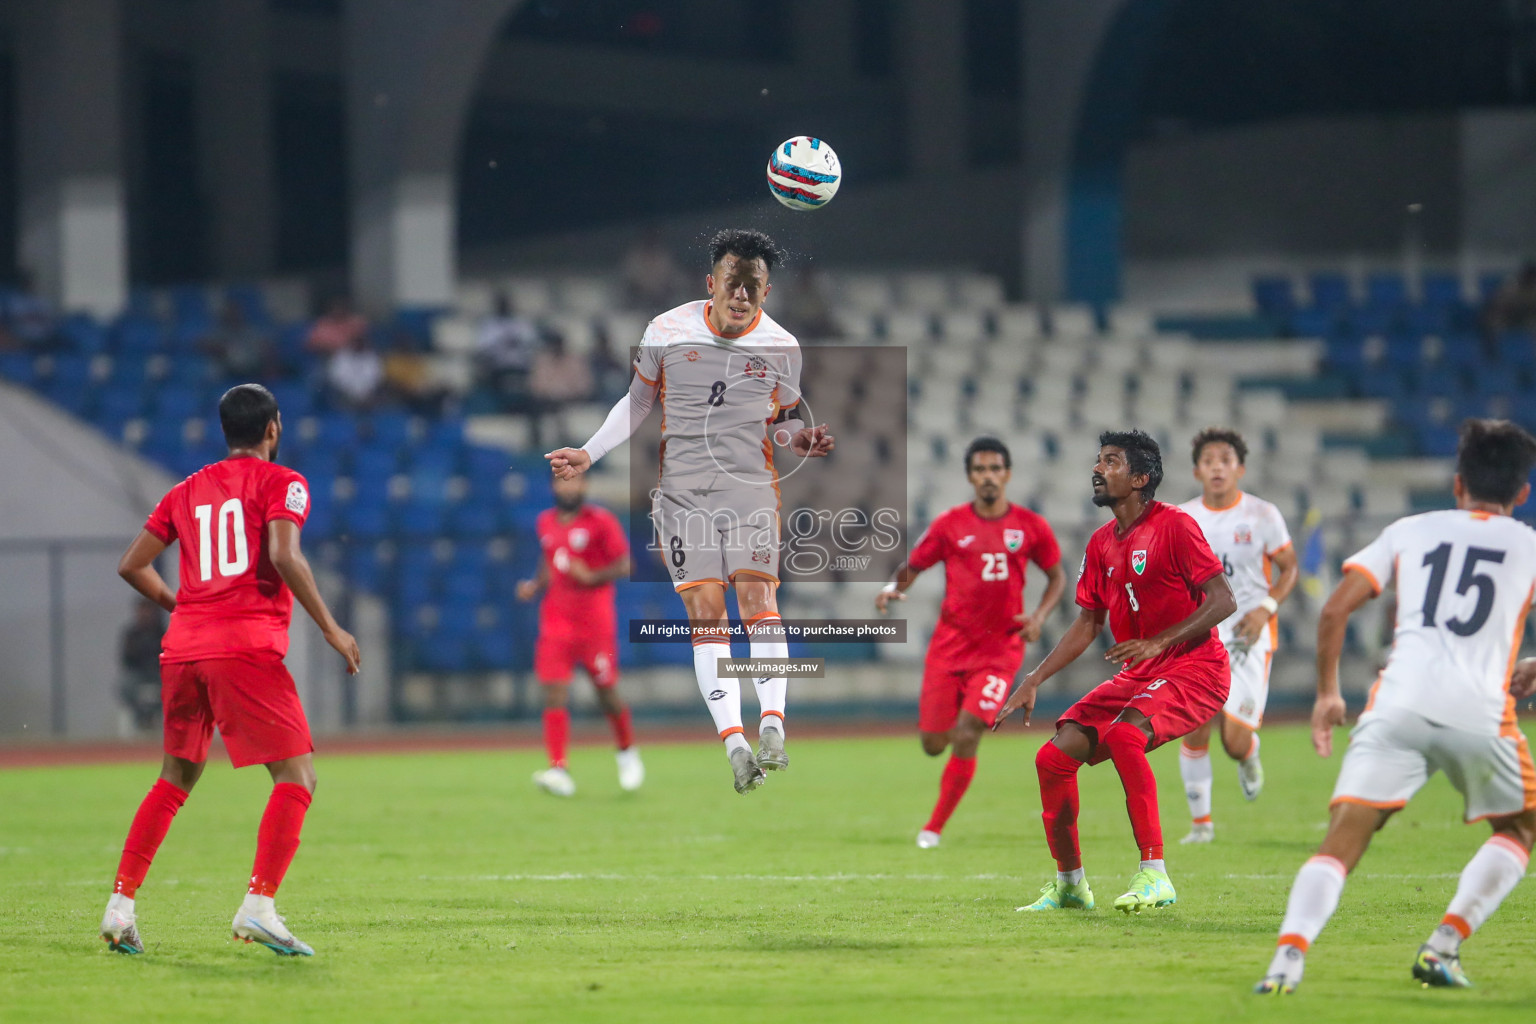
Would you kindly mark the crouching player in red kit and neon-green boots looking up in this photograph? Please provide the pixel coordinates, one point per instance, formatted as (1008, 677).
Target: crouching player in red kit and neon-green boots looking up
(1151, 572)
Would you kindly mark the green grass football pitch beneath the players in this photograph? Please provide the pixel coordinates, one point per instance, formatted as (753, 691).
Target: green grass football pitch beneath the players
(446, 888)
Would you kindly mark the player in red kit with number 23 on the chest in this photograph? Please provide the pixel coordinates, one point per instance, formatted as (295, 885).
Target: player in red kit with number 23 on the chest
(979, 642)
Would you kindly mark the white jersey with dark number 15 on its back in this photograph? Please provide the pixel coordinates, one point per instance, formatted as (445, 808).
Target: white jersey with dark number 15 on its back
(1465, 586)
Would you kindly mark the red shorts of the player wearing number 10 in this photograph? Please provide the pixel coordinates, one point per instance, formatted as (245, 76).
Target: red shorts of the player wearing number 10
(251, 699)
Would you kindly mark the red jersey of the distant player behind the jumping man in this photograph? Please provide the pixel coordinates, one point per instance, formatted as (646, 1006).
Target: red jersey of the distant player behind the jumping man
(595, 537)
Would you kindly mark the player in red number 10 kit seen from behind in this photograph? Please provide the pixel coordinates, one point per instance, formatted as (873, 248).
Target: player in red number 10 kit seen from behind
(239, 523)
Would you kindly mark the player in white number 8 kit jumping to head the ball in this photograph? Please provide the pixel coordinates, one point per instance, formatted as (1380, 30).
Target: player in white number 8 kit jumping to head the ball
(724, 374)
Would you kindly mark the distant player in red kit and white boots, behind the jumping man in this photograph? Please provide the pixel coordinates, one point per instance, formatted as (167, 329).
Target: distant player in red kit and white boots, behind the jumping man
(584, 553)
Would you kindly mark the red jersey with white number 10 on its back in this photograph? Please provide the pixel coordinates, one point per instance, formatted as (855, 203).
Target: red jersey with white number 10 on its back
(231, 600)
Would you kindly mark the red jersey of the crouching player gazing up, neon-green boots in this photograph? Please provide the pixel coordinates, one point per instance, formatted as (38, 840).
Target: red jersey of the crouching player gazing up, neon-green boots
(1150, 580)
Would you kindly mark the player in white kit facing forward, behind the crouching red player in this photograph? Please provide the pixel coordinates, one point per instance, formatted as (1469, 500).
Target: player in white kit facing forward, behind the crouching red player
(1251, 540)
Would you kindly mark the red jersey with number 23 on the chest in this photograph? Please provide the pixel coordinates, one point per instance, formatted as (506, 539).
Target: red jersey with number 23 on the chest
(985, 563)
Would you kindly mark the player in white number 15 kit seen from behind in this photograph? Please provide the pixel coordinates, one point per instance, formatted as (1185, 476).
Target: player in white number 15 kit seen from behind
(1445, 702)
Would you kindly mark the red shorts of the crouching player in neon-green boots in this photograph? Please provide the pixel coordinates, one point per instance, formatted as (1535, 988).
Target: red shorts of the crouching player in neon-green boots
(1177, 698)
